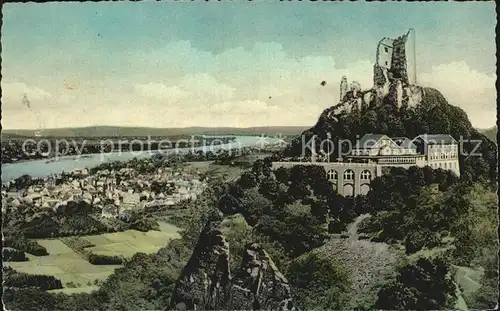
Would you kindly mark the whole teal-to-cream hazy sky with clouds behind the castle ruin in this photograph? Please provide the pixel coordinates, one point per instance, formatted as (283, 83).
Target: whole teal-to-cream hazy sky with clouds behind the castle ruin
(241, 64)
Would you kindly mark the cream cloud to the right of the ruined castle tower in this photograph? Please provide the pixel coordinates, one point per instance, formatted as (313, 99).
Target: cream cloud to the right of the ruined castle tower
(466, 88)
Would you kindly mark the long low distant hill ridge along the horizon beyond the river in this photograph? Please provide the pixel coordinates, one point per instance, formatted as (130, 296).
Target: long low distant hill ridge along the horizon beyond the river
(118, 131)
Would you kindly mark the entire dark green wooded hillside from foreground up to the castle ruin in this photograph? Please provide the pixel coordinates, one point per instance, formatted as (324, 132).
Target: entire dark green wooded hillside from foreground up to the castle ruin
(405, 245)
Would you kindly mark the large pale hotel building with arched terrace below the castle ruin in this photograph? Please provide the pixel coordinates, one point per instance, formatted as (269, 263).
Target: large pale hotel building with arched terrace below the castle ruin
(374, 153)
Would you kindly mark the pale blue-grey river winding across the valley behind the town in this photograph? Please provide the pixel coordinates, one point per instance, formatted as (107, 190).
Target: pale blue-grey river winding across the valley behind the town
(44, 168)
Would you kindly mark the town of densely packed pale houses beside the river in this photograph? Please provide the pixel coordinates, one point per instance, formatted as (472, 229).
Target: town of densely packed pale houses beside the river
(117, 193)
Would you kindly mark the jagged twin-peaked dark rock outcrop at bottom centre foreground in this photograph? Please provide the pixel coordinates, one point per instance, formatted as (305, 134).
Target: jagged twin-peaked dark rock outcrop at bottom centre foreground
(206, 284)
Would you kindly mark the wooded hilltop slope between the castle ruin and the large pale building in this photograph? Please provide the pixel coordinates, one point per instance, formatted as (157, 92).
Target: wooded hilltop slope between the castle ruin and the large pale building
(434, 115)
